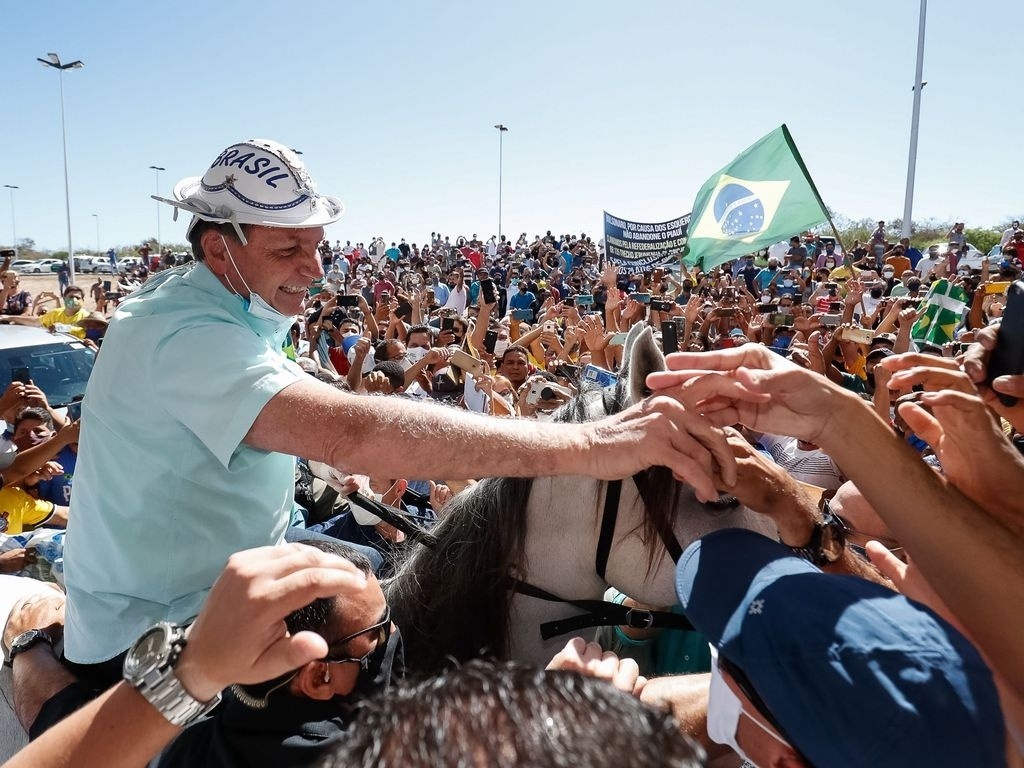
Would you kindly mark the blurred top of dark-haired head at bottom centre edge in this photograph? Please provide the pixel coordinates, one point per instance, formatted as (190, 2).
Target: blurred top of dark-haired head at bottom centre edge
(508, 715)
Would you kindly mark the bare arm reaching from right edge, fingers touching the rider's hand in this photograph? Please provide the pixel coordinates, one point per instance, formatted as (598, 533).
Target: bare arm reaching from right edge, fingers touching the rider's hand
(964, 553)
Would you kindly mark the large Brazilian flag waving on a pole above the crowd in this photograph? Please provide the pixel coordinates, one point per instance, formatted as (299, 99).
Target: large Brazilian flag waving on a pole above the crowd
(762, 197)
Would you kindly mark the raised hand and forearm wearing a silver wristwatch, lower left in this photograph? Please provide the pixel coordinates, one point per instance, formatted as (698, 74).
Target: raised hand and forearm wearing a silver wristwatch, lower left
(175, 676)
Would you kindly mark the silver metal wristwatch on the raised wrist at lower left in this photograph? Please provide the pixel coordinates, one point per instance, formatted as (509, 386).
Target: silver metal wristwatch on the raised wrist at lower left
(150, 669)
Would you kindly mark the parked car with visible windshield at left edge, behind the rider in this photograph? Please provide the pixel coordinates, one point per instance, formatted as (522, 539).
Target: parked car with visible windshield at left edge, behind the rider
(58, 364)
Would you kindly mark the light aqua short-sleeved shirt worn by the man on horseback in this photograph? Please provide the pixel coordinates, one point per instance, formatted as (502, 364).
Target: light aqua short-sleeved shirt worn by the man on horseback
(165, 491)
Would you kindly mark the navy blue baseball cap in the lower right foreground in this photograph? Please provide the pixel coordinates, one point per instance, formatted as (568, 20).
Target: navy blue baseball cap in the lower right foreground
(854, 673)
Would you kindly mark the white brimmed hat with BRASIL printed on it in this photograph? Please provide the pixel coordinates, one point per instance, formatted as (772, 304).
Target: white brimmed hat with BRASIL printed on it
(259, 182)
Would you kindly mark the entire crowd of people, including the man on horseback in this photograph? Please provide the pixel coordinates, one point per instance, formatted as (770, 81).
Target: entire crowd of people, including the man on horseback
(294, 379)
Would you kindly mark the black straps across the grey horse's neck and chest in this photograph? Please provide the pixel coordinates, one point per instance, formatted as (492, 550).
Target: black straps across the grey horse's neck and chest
(602, 613)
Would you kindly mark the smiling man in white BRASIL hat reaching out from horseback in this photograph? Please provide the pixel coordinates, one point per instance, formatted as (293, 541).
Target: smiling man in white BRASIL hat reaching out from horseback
(197, 463)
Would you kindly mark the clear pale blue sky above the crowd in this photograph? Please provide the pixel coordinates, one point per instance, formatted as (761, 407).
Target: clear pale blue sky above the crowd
(612, 106)
